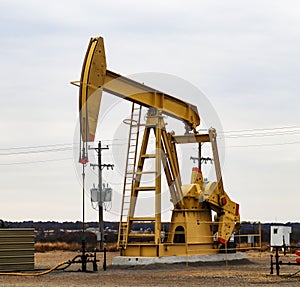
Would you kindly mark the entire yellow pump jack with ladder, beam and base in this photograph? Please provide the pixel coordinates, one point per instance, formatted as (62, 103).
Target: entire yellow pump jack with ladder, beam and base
(192, 230)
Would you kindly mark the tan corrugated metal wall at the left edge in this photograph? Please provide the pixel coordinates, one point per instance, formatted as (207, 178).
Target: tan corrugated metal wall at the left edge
(16, 249)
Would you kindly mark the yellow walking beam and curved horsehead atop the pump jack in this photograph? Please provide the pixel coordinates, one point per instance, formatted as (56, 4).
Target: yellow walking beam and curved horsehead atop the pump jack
(95, 78)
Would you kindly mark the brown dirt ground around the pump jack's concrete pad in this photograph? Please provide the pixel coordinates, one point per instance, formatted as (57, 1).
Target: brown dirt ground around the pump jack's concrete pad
(255, 271)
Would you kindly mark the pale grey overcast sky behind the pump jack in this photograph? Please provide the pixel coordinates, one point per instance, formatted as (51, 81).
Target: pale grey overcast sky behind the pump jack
(242, 55)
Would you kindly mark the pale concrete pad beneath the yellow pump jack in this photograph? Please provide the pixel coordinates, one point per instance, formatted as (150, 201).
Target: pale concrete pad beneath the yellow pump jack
(136, 261)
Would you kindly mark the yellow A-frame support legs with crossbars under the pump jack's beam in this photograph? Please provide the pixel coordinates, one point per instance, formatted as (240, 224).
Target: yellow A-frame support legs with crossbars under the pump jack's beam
(165, 158)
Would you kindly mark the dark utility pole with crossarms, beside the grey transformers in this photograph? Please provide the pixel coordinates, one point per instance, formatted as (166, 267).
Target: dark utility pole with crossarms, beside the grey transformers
(100, 200)
